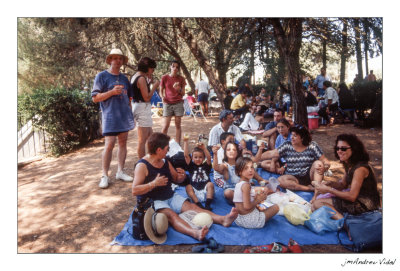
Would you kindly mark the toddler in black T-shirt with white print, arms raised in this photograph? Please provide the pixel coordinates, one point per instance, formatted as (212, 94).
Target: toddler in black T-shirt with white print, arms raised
(200, 189)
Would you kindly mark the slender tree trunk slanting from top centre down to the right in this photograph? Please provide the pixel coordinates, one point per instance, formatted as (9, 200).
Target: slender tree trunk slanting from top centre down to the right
(201, 59)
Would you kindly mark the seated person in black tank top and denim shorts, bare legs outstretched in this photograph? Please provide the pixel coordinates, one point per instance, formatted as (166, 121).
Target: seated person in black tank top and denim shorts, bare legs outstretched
(153, 179)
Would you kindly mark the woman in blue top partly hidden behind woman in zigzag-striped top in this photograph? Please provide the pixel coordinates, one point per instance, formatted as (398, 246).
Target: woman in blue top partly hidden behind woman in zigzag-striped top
(279, 165)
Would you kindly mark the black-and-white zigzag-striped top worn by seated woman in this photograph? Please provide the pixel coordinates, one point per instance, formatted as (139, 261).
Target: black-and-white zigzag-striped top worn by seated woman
(298, 163)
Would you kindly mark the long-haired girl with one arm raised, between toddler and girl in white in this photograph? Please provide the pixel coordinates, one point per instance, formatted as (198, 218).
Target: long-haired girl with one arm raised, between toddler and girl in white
(231, 154)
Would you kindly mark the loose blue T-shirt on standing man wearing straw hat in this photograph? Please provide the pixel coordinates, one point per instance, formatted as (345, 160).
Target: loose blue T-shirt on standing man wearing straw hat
(116, 111)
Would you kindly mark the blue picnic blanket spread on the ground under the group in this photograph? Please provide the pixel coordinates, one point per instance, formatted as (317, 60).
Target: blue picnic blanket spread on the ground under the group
(277, 229)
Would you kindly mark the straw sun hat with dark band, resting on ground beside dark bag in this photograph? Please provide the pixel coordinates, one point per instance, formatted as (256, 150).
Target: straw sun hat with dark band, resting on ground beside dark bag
(155, 226)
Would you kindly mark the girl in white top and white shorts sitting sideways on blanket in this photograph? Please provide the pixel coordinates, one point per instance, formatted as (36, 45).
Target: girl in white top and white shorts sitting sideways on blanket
(246, 198)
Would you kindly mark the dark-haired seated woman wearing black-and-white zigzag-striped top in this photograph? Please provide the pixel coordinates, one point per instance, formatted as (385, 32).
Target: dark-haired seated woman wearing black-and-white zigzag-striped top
(304, 158)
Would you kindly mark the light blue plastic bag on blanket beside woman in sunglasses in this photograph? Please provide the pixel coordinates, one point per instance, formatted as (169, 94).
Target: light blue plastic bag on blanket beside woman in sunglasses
(321, 221)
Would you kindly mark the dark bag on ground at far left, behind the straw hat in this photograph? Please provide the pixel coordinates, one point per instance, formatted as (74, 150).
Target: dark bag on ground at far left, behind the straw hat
(138, 213)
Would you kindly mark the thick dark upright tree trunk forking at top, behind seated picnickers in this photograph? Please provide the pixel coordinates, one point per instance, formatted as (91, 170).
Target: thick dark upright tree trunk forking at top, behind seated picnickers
(289, 44)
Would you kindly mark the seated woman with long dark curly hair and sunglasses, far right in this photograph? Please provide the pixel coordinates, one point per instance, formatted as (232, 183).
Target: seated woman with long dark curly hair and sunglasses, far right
(363, 195)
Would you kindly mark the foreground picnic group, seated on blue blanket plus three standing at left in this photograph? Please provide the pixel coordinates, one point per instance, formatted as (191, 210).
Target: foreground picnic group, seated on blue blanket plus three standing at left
(291, 153)
